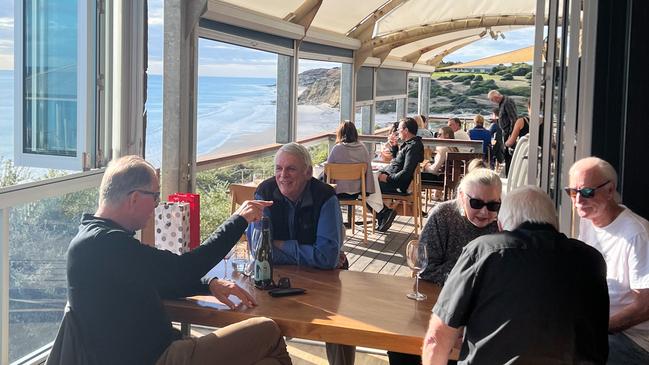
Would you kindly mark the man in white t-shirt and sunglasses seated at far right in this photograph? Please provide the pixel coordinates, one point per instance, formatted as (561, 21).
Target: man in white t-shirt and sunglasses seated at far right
(623, 238)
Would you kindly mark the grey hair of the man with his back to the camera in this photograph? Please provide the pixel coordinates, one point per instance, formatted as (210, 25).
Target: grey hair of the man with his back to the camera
(527, 204)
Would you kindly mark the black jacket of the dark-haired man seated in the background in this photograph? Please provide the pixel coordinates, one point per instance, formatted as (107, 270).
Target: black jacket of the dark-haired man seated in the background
(402, 167)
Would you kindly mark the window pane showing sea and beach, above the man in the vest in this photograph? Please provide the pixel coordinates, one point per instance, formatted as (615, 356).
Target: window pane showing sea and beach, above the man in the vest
(237, 98)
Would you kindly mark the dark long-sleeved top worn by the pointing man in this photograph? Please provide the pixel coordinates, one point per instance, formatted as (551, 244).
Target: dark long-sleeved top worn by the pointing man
(116, 286)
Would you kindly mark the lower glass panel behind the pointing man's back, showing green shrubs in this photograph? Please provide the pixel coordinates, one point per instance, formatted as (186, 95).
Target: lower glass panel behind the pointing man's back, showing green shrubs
(39, 236)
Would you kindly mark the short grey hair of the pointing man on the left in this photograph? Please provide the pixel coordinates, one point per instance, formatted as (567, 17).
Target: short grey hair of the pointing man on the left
(122, 176)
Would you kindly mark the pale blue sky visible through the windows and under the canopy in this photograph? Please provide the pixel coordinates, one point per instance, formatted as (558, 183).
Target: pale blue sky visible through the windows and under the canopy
(220, 59)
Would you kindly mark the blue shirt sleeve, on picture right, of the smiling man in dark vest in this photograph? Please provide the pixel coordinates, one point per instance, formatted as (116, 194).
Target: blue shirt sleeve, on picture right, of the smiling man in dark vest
(323, 254)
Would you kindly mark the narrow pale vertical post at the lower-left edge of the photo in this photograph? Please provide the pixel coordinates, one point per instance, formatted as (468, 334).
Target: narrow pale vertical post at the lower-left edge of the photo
(4, 285)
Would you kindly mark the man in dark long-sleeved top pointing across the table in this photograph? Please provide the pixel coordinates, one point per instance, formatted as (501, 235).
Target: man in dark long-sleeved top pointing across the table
(116, 284)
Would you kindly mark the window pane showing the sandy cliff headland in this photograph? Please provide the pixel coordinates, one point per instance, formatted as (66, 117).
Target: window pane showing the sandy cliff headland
(318, 102)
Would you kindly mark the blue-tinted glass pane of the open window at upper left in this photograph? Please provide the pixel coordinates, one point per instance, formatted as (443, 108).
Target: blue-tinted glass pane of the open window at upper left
(50, 78)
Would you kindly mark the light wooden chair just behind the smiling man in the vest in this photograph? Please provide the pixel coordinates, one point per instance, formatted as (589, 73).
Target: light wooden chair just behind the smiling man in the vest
(351, 171)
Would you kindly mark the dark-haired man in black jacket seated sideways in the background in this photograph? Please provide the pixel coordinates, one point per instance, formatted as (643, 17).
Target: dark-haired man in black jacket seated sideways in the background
(396, 177)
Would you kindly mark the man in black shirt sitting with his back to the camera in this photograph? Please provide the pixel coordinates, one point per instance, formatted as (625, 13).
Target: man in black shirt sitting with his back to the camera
(529, 294)
